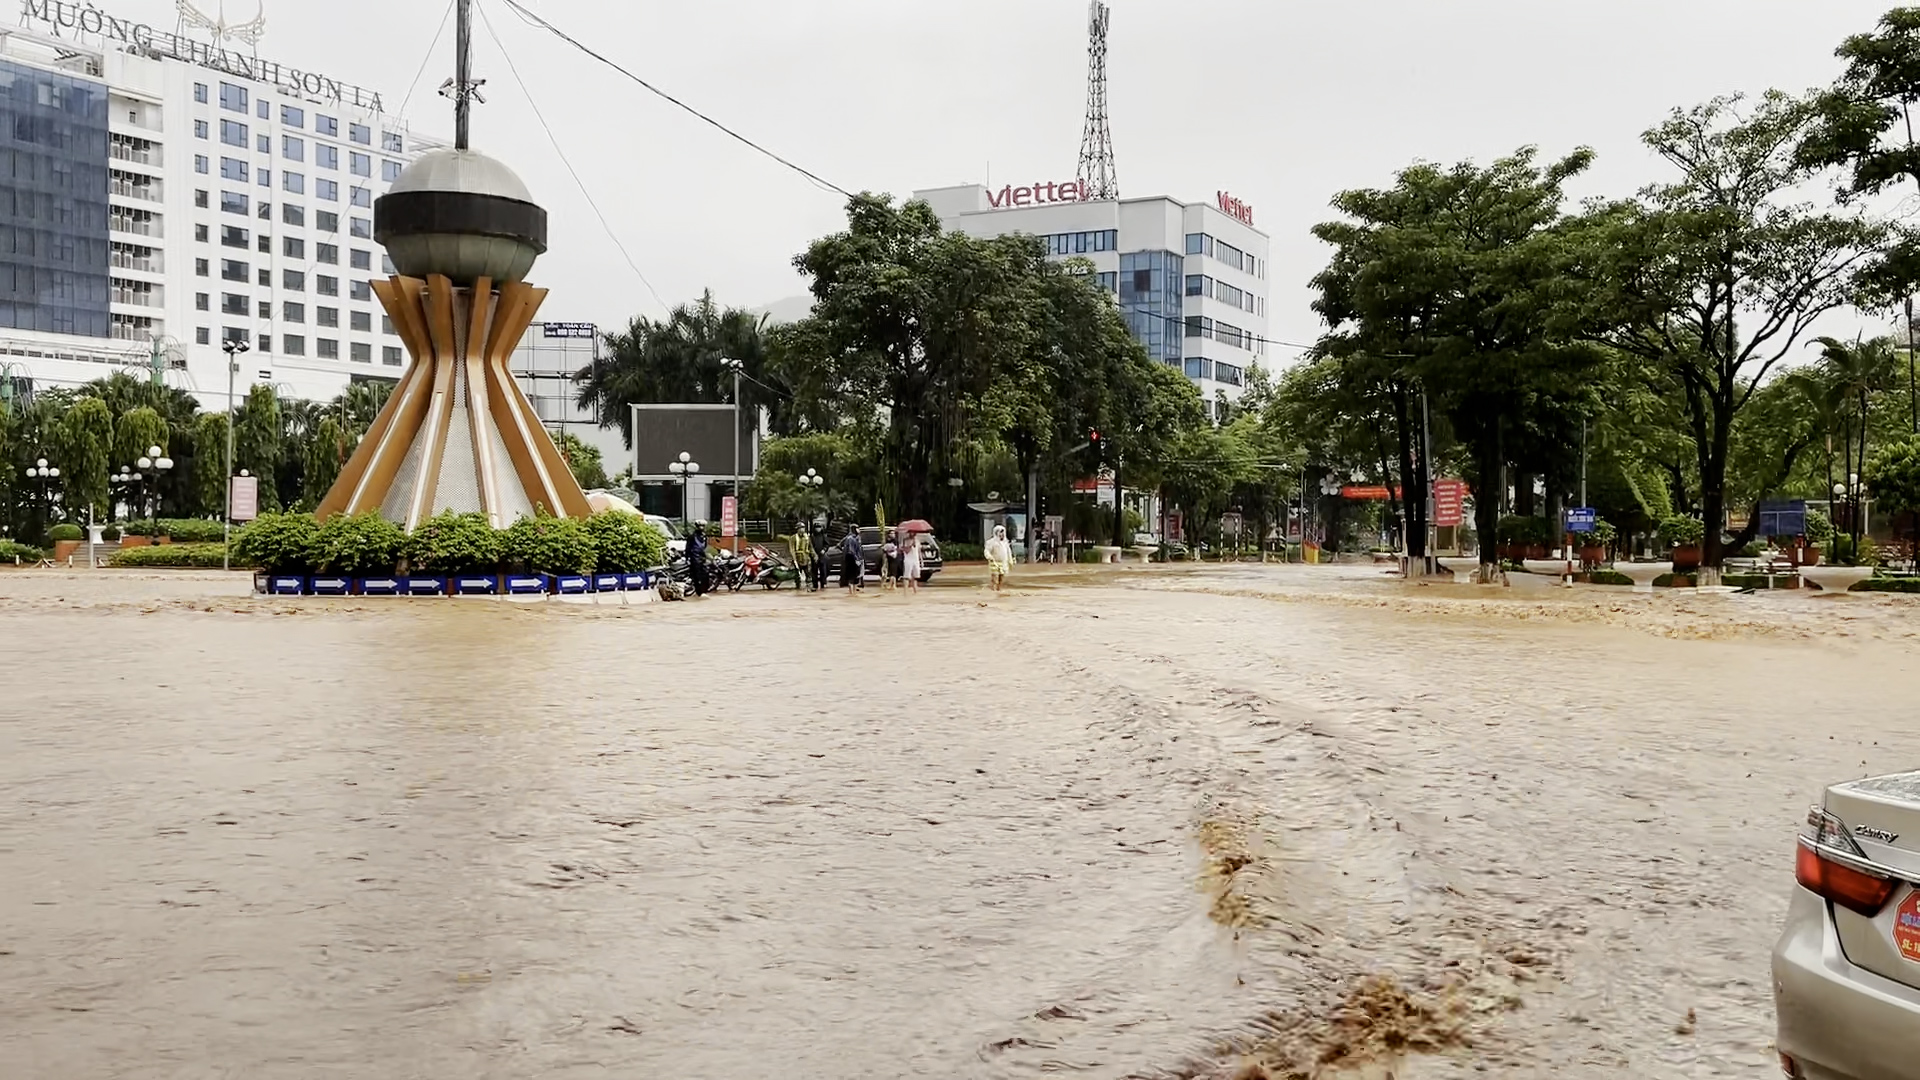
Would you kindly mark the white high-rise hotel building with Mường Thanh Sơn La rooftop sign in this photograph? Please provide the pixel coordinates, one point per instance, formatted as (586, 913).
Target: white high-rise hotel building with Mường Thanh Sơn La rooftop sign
(162, 195)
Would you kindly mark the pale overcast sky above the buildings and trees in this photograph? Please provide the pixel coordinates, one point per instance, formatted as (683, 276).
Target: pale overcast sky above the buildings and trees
(1278, 101)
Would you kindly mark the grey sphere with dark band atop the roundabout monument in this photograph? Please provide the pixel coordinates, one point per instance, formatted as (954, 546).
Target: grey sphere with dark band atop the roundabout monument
(460, 214)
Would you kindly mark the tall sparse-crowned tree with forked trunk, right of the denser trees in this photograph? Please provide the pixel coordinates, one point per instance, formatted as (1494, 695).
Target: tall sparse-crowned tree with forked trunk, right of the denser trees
(1712, 280)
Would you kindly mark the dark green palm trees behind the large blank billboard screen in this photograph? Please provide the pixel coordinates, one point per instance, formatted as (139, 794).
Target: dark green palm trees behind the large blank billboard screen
(681, 360)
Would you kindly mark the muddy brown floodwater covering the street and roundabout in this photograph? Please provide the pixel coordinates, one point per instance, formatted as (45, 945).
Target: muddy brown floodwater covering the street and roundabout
(1243, 822)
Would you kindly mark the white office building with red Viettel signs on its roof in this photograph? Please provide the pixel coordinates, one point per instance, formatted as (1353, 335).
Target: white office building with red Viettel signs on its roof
(1191, 278)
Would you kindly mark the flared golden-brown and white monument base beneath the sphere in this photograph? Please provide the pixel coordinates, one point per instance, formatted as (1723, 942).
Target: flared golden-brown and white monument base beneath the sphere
(458, 431)
